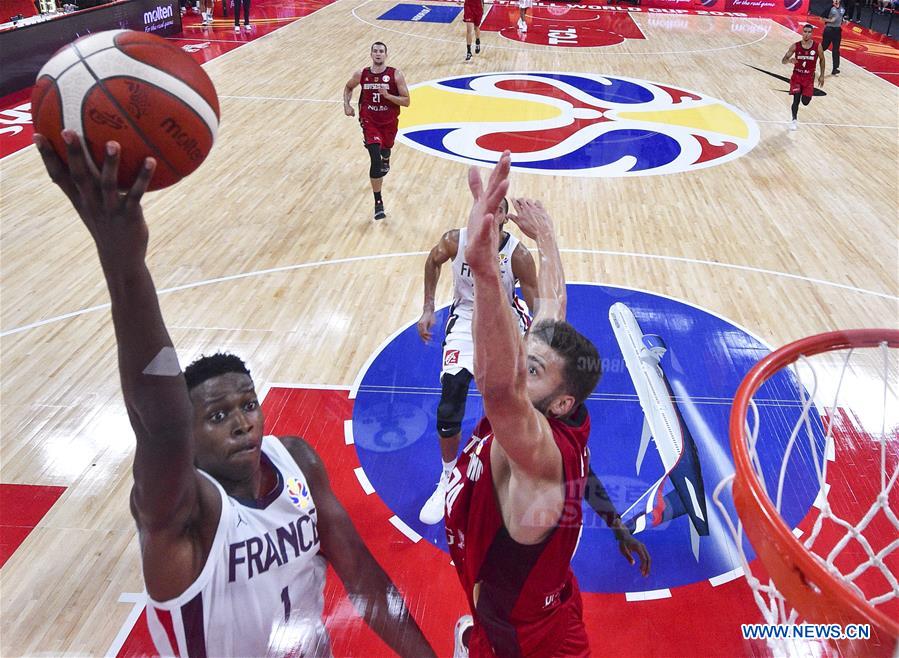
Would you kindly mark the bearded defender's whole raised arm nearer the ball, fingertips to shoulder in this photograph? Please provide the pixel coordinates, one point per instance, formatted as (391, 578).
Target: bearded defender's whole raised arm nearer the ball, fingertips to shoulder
(501, 361)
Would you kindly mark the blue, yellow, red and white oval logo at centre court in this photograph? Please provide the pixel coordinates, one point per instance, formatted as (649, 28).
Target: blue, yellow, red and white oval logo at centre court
(575, 124)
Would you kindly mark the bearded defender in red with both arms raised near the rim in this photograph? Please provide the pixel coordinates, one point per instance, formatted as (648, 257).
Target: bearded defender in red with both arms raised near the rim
(513, 503)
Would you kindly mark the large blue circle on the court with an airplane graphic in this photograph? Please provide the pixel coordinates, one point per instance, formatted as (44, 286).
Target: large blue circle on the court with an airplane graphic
(394, 427)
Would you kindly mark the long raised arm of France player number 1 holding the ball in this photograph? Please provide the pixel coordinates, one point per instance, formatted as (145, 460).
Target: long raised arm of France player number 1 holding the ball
(164, 499)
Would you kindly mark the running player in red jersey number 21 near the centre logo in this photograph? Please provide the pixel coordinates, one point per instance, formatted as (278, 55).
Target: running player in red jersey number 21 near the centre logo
(383, 92)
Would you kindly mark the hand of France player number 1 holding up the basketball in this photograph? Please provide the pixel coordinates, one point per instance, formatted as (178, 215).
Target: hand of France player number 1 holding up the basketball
(115, 219)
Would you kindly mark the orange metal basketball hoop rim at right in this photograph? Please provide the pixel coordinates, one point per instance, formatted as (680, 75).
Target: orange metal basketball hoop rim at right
(816, 595)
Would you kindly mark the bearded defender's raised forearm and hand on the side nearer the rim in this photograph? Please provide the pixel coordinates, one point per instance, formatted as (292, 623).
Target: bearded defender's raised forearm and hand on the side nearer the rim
(533, 220)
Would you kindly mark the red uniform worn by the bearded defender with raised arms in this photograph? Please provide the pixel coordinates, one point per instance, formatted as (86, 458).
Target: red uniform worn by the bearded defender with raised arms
(524, 599)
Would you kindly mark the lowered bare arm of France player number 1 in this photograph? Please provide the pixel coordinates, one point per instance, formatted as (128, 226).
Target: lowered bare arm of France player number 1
(375, 597)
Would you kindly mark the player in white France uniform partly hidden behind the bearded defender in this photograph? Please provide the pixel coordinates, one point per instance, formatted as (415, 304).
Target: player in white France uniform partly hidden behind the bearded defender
(516, 265)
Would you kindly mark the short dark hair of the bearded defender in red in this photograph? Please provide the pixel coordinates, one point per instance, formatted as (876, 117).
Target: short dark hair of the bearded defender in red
(583, 367)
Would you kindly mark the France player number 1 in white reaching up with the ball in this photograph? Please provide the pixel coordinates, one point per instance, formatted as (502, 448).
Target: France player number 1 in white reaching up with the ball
(234, 527)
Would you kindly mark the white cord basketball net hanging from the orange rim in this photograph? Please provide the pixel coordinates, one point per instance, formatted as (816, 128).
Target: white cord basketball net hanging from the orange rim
(837, 417)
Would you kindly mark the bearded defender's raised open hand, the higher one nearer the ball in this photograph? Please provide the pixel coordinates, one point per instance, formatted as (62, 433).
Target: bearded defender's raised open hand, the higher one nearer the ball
(483, 238)
